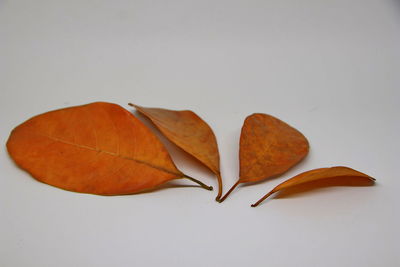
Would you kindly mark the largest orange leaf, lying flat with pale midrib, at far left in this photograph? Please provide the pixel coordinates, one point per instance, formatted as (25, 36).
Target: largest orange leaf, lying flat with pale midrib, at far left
(98, 148)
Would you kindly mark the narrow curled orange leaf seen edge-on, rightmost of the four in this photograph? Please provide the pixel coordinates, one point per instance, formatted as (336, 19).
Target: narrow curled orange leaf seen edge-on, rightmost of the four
(323, 177)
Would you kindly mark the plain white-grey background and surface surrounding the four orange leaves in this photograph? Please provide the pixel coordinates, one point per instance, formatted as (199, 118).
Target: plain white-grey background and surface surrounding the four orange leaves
(329, 68)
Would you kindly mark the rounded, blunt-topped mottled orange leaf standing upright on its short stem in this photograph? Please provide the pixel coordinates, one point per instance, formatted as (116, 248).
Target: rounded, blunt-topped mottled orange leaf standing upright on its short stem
(268, 147)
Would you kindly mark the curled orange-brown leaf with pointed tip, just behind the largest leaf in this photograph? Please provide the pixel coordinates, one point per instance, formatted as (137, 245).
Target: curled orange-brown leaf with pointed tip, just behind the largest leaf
(189, 132)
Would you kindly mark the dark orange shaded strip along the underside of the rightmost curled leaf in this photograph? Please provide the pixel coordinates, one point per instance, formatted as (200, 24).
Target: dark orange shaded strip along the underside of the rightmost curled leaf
(321, 185)
